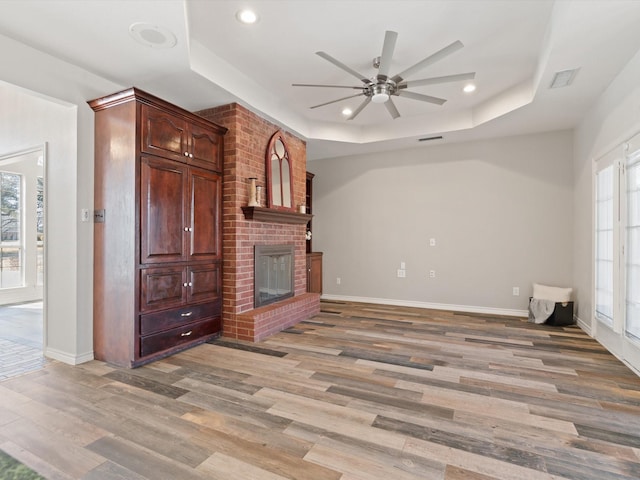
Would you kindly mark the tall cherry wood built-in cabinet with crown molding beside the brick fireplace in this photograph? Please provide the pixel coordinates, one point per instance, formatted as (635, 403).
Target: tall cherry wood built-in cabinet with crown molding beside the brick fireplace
(158, 247)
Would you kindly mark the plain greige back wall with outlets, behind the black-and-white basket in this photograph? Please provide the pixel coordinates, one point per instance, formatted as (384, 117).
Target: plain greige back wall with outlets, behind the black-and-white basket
(500, 210)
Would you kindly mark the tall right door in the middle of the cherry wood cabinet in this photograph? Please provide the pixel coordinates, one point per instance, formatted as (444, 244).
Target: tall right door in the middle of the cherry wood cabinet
(205, 210)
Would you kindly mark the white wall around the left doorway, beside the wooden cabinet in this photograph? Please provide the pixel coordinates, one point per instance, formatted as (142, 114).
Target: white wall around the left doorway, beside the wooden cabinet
(64, 120)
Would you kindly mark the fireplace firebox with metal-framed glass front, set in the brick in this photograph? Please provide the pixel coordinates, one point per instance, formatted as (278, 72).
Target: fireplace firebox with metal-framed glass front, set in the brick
(273, 273)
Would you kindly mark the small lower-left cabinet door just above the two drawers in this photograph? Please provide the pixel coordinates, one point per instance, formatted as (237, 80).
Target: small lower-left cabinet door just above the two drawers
(162, 287)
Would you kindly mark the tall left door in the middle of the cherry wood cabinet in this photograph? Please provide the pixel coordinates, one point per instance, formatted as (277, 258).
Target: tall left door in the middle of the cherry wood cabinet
(163, 225)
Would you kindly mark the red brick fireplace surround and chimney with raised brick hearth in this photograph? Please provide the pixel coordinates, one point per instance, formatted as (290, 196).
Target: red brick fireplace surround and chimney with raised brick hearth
(245, 148)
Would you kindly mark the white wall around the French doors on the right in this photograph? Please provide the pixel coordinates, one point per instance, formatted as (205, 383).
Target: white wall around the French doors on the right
(612, 120)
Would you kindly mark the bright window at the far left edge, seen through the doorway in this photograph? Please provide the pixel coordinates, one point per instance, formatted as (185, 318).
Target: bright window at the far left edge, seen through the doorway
(11, 242)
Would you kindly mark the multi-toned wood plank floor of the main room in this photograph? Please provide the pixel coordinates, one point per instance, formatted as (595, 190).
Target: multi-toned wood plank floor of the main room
(358, 392)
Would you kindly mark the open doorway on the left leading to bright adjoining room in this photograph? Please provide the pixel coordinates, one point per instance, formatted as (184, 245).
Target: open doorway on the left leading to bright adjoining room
(22, 246)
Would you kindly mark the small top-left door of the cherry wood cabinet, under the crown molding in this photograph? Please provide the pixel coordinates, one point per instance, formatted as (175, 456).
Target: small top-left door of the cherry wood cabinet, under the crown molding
(164, 134)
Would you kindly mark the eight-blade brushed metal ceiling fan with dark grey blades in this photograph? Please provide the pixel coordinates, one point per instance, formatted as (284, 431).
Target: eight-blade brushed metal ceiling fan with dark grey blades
(381, 87)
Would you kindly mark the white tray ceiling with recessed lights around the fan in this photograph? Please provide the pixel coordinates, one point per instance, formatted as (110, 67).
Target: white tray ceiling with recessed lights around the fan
(514, 46)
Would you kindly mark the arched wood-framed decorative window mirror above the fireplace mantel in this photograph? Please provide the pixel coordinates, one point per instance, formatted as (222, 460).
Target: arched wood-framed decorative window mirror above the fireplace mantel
(279, 179)
